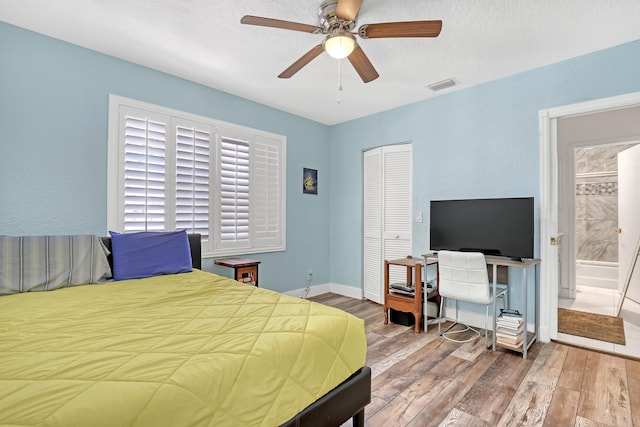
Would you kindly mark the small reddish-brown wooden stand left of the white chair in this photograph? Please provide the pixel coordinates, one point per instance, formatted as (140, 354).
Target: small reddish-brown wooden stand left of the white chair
(405, 303)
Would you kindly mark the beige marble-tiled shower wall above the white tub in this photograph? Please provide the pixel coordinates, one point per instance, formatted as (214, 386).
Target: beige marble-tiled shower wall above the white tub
(597, 202)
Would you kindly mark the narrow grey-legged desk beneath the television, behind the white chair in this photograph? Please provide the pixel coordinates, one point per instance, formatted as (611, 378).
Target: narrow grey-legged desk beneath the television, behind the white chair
(494, 262)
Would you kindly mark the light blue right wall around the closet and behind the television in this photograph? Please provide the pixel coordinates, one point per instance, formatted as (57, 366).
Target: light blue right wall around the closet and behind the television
(478, 142)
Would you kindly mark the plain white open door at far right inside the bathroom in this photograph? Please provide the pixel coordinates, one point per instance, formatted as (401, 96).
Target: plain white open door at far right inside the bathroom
(628, 224)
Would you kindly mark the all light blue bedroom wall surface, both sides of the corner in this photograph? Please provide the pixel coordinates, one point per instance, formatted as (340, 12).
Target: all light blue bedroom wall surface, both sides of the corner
(478, 142)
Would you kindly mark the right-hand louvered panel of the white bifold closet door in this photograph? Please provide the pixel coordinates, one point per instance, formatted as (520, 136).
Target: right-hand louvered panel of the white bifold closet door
(397, 207)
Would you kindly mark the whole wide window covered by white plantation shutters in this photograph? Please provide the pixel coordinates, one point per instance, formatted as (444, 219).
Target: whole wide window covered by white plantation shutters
(170, 170)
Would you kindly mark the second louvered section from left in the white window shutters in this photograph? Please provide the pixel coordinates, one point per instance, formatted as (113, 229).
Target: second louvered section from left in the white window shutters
(193, 171)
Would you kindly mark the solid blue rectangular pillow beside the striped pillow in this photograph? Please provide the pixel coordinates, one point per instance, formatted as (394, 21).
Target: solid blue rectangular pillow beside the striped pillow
(150, 253)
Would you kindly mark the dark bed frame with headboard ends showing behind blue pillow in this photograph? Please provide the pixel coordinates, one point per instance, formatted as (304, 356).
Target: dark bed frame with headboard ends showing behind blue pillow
(347, 400)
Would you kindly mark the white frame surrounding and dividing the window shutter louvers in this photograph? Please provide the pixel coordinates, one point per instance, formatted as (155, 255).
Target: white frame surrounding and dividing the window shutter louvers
(253, 136)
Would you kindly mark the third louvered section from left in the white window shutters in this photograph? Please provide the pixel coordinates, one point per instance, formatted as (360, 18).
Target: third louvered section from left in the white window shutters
(234, 192)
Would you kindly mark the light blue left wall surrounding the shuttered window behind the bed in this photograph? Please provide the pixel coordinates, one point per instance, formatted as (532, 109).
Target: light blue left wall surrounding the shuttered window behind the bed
(53, 146)
